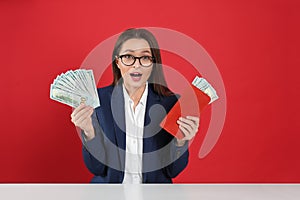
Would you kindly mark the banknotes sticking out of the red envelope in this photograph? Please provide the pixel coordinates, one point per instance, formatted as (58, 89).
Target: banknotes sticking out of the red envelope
(205, 87)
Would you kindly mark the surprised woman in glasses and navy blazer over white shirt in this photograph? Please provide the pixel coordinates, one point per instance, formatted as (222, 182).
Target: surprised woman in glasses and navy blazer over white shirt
(123, 142)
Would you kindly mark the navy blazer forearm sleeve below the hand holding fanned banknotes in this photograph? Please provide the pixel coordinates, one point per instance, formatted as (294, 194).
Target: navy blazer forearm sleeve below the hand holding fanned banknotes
(94, 150)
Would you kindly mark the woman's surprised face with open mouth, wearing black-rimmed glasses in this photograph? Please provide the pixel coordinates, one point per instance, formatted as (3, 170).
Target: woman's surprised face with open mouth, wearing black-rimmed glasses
(135, 75)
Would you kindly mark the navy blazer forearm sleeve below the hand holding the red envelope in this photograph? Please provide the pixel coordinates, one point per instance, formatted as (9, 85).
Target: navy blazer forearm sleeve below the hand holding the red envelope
(179, 156)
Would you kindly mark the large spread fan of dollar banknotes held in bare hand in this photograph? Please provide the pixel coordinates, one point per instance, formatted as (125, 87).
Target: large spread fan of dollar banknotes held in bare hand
(74, 87)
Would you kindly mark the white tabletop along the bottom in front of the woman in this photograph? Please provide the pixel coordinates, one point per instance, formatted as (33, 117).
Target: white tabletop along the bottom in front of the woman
(150, 191)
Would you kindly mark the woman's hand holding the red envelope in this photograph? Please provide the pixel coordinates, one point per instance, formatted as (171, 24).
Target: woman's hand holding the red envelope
(189, 127)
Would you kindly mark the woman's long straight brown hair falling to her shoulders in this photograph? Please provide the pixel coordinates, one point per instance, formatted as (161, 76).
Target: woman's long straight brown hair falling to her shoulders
(157, 77)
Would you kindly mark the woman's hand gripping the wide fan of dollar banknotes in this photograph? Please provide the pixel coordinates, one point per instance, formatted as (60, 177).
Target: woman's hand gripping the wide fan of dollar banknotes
(81, 117)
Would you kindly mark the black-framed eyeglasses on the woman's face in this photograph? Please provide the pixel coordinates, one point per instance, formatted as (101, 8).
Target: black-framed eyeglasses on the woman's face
(129, 60)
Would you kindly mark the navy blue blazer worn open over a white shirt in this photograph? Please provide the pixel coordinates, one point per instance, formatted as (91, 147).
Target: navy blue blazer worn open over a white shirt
(104, 155)
